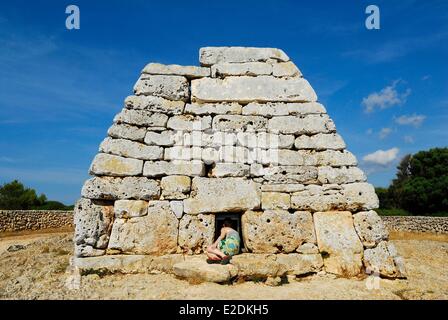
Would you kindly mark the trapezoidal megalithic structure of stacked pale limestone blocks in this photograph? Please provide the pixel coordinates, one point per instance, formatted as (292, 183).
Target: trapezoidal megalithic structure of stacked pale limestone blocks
(242, 136)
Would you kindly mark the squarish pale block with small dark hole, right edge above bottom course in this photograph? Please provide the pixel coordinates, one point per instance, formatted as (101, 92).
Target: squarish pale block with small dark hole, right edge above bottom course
(360, 195)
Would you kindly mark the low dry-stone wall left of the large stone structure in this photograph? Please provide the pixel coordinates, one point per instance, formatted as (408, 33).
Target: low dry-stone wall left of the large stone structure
(20, 220)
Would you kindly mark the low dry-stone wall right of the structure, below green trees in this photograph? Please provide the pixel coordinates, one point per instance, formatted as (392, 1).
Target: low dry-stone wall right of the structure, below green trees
(417, 224)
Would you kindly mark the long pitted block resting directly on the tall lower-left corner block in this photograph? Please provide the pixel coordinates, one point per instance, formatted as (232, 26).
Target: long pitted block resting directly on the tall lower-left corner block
(110, 188)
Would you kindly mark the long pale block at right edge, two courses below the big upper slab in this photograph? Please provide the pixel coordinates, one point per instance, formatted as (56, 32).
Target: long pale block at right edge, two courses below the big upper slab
(310, 124)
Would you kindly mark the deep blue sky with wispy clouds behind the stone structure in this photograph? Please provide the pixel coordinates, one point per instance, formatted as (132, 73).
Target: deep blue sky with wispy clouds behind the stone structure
(387, 89)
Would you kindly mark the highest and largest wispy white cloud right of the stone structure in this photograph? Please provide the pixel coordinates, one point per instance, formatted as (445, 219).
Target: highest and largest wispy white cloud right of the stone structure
(386, 98)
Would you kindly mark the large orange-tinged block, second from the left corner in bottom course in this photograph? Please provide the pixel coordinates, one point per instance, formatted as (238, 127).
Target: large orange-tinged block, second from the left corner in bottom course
(153, 234)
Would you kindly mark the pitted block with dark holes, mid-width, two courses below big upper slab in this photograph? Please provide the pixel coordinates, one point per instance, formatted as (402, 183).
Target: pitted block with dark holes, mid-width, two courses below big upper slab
(239, 123)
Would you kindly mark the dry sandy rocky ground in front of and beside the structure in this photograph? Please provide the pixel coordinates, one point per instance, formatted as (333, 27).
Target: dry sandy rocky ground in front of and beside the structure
(41, 270)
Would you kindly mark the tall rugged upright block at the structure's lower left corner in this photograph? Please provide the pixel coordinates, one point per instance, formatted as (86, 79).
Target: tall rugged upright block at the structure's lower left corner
(93, 221)
